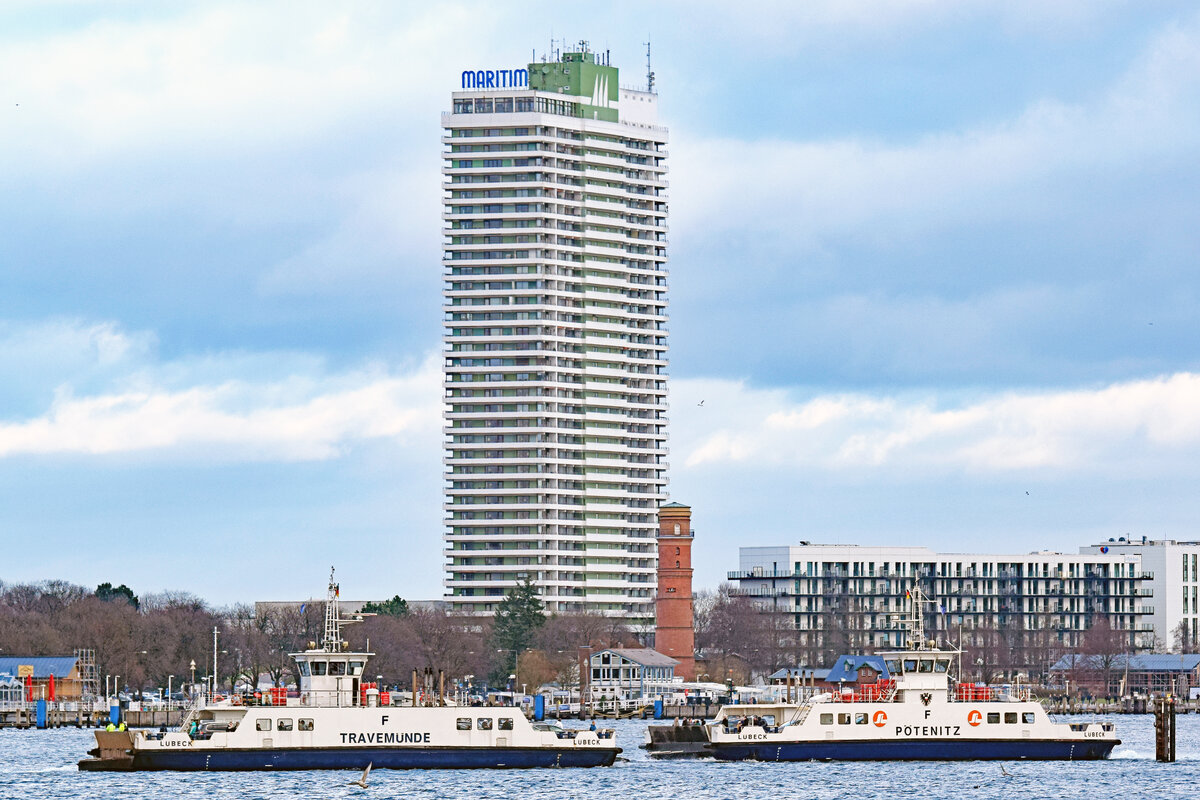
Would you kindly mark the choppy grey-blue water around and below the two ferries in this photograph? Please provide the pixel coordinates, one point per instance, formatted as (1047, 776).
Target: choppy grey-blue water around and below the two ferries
(37, 765)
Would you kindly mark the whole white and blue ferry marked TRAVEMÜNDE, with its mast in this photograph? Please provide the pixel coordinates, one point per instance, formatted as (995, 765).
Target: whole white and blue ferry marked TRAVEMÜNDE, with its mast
(341, 723)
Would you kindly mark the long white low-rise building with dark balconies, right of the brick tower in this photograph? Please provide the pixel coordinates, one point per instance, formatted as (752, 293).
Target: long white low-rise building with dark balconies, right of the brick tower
(1013, 612)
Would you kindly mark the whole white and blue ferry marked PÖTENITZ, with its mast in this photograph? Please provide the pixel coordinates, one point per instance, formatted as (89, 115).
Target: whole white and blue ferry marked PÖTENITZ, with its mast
(919, 713)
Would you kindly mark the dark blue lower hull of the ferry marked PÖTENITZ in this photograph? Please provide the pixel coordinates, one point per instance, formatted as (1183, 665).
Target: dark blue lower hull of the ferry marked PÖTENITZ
(925, 750)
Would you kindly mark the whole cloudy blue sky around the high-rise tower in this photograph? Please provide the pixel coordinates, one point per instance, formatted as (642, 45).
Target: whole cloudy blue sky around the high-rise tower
(933, 278)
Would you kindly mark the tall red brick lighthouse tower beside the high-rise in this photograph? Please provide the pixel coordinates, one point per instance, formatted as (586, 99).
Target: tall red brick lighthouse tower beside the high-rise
(674, 634)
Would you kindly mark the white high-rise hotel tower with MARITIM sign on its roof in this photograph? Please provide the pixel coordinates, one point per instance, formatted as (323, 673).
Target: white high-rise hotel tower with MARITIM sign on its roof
(556, 341)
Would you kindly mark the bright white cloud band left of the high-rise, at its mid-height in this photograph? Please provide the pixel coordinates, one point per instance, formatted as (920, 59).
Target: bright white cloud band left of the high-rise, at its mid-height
(238, 407)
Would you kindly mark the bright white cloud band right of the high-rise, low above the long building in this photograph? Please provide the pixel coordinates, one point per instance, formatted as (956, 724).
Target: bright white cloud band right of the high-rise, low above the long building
(1143, 425)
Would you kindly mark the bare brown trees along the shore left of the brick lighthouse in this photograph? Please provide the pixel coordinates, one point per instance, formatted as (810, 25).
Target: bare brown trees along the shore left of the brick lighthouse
(147, 640)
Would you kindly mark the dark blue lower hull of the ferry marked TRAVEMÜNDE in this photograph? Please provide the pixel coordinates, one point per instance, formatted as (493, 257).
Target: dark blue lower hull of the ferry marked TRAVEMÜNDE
(357, 759)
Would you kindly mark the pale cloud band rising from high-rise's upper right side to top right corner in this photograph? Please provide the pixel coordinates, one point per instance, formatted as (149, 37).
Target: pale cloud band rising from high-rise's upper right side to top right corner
(805, 193)
